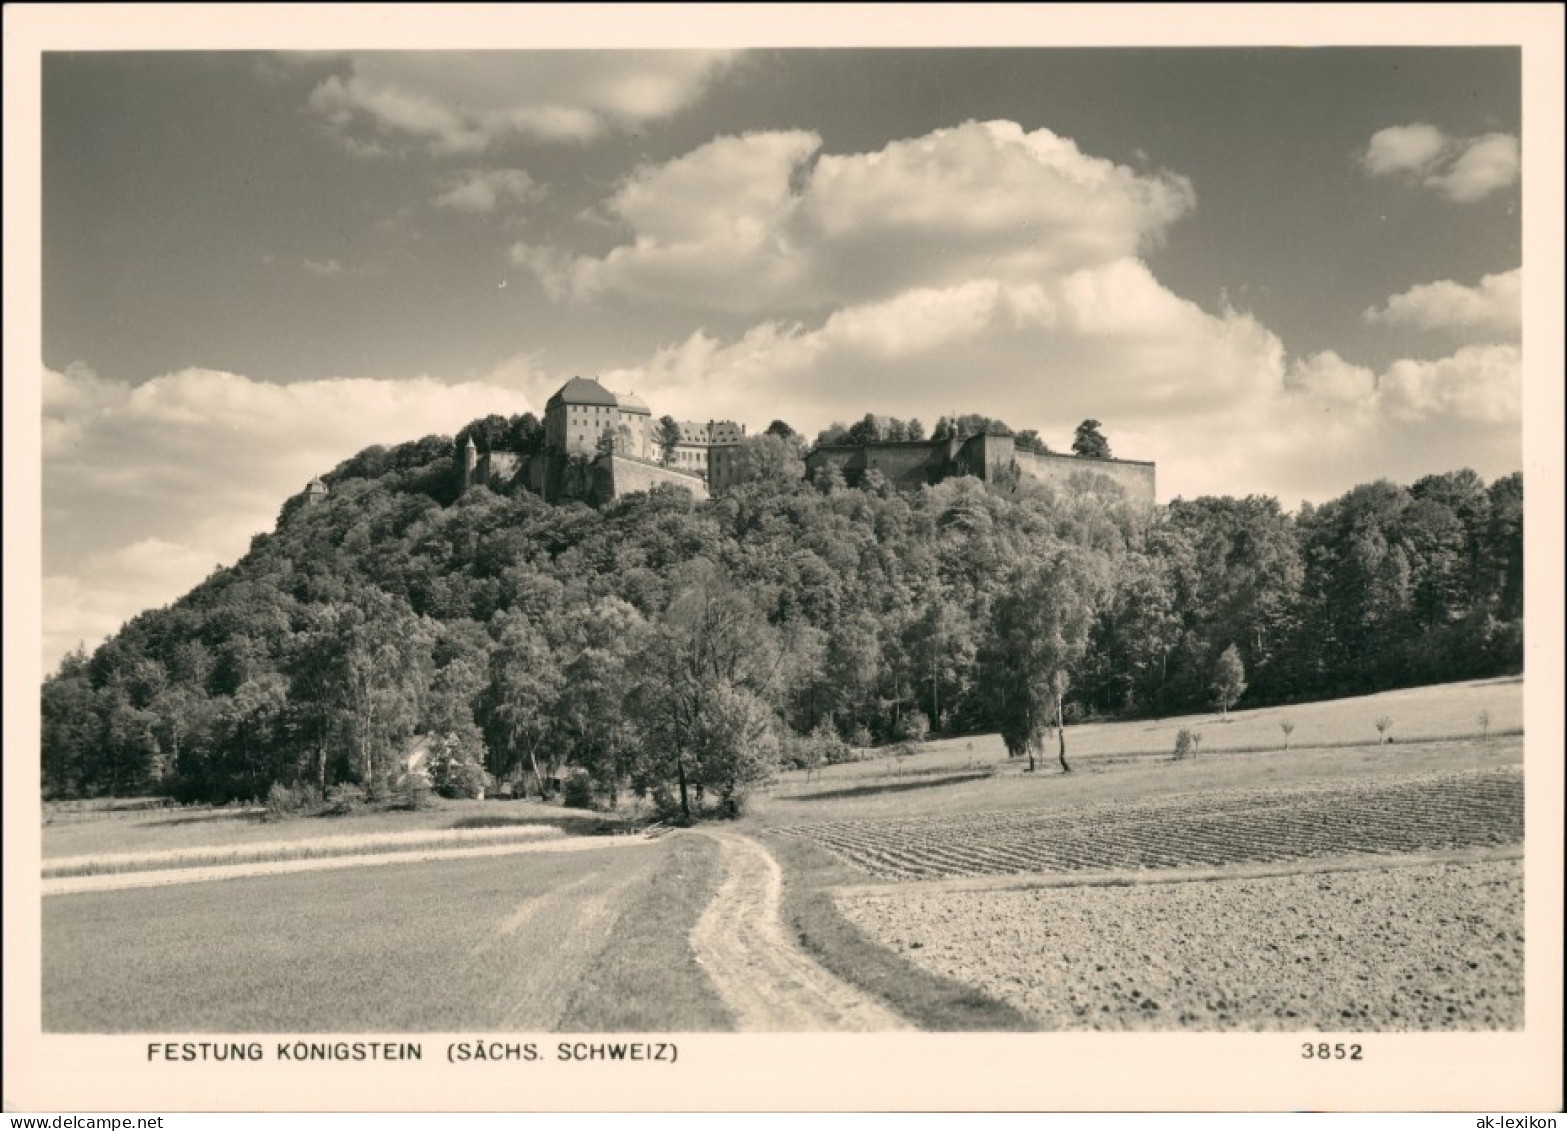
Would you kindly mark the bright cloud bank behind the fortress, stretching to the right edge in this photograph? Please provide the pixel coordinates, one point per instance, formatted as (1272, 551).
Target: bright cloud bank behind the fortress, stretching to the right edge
(1214, 399)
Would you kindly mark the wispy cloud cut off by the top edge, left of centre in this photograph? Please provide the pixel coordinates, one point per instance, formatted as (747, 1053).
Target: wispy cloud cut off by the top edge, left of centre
(468, 103)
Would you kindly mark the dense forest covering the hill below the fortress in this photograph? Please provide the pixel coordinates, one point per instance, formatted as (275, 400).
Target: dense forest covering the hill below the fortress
(682, 651)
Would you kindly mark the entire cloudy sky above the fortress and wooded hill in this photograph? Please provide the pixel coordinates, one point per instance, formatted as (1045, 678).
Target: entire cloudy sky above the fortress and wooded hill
(1276, 272)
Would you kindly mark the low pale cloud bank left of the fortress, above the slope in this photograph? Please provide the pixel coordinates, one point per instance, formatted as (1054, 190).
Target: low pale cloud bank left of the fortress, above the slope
(148, 488)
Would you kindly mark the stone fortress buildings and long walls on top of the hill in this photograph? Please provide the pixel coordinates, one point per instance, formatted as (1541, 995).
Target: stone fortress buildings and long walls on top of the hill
(599, 446)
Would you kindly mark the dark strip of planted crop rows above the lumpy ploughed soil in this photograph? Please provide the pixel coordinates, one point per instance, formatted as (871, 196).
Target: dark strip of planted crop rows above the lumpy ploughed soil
(1254, 826)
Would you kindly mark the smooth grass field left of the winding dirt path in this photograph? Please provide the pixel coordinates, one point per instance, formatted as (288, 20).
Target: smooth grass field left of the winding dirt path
(474, 945)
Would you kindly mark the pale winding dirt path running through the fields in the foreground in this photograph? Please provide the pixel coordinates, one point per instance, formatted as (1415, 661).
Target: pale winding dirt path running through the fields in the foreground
(769, 983)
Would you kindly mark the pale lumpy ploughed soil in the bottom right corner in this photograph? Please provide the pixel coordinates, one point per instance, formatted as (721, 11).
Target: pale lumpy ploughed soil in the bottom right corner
(1422, 947)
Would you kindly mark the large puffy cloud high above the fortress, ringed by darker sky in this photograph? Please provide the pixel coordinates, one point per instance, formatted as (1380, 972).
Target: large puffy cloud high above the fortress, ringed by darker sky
(769, 222)
